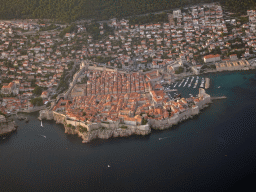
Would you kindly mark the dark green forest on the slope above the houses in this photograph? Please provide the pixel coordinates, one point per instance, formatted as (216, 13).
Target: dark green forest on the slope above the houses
(72, 10)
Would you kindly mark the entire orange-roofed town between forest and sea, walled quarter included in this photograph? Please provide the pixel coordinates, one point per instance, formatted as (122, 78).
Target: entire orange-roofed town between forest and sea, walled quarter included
(112, 73)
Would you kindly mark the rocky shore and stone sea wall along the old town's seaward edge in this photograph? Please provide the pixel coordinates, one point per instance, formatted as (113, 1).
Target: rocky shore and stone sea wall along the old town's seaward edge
(103, 130)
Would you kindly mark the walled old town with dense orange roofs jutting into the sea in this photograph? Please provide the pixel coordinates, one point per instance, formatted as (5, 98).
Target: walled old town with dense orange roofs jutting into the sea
(117, 104)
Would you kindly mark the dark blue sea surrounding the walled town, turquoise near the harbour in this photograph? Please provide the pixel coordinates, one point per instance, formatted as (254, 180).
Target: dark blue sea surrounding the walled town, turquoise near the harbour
(215, 151)
